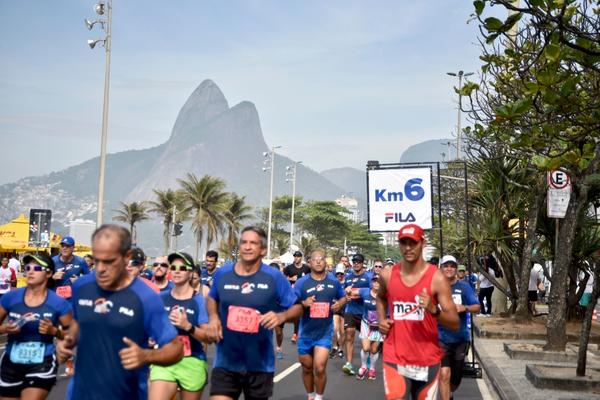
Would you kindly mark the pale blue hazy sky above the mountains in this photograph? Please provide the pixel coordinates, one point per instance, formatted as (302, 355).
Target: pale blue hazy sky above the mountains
(335, 83)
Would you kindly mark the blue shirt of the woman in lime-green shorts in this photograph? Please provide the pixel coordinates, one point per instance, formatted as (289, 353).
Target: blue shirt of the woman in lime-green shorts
(195, 310)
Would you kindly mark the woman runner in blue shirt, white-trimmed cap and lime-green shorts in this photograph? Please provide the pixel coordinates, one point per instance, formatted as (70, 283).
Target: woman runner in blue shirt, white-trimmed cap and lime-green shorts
(187, 312)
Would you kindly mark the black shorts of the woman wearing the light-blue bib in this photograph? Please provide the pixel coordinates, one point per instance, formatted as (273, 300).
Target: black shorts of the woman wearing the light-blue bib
(16, 377)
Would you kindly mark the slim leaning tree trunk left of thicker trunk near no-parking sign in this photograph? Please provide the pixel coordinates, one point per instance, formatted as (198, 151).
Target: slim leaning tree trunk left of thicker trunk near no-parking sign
(523, 312)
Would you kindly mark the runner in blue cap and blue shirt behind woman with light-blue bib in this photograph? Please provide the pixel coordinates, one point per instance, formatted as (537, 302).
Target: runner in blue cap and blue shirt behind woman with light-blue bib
(68, 267)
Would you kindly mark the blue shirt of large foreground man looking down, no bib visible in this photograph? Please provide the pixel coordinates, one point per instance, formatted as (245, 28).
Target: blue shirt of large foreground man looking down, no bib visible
(105, 317)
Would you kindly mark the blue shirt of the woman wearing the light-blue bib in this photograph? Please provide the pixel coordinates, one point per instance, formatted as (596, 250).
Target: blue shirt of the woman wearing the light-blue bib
(52, 308)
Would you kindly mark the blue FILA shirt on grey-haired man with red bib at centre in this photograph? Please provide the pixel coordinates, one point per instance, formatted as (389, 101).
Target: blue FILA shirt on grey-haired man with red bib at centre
(266, 290)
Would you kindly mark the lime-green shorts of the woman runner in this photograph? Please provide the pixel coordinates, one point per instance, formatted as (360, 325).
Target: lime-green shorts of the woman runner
(189, 373)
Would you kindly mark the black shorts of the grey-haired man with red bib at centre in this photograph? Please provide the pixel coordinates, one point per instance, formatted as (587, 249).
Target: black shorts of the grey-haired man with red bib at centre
(254, 385)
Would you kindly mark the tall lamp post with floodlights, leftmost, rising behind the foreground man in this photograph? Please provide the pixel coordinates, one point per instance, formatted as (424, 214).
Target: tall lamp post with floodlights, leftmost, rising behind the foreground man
(102, 8)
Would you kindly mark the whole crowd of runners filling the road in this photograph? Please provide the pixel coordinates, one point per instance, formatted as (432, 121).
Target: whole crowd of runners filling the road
(126, 331)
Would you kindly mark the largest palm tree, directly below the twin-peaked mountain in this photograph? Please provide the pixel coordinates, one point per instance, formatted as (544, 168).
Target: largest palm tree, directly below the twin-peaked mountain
(207, 201)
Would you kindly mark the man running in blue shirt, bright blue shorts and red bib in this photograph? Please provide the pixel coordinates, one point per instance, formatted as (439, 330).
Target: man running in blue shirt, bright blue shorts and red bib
(321, 295)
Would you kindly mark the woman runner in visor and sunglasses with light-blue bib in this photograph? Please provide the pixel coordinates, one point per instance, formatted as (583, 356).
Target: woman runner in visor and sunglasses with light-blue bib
(28, 366)
